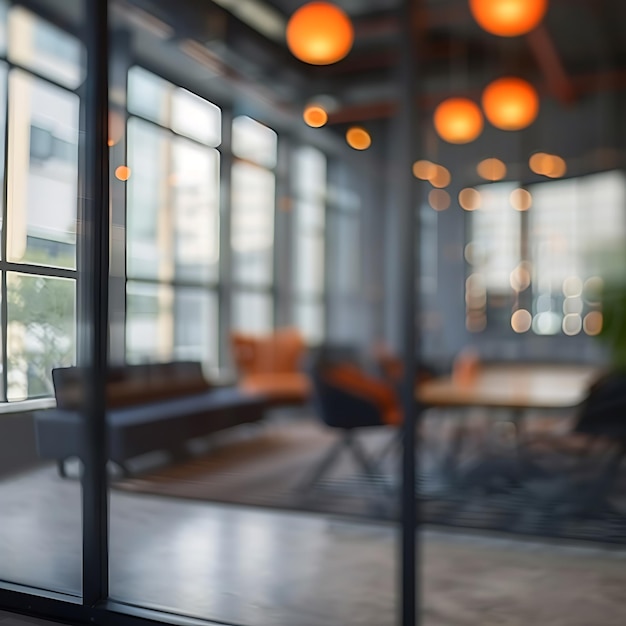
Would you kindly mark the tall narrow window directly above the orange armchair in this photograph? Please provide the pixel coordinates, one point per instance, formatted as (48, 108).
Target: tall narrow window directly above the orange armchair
(253, 202)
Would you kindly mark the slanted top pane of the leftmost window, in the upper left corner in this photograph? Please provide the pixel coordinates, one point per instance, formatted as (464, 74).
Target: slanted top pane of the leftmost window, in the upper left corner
(38, 45)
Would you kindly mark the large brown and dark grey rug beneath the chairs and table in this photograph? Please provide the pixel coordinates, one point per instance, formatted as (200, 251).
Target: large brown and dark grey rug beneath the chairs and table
(267, 464)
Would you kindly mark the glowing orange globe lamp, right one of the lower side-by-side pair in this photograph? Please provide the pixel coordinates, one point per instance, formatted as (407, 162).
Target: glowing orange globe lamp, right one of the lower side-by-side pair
(510, 103)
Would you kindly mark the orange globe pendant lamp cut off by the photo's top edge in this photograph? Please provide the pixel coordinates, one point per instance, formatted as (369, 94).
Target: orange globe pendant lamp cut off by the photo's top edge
(508, 18)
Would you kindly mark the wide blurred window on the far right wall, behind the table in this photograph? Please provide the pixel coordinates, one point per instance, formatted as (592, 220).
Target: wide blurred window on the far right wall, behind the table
(532, 253)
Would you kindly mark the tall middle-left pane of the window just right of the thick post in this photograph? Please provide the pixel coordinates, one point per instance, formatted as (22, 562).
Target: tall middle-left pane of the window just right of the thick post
(149, 188)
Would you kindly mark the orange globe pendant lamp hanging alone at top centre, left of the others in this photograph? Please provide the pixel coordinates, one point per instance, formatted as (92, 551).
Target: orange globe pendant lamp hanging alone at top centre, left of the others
(319, 33)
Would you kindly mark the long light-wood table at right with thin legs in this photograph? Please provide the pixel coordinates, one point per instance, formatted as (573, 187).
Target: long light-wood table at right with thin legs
(511, 388)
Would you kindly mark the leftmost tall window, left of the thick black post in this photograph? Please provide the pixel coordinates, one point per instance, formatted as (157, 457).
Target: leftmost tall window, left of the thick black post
(38, 265)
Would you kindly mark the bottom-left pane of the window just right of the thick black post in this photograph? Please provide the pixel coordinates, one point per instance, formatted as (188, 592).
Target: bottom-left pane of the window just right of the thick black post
(149, 322)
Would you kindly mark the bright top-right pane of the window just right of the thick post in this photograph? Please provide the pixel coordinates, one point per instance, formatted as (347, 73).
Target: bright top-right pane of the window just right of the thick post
(195, 117)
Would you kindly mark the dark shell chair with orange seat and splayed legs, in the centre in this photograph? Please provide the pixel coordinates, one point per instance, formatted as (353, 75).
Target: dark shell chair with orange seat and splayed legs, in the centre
(348, 398)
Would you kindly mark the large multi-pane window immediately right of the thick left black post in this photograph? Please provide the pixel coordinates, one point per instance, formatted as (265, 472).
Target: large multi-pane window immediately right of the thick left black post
(172, 223)
